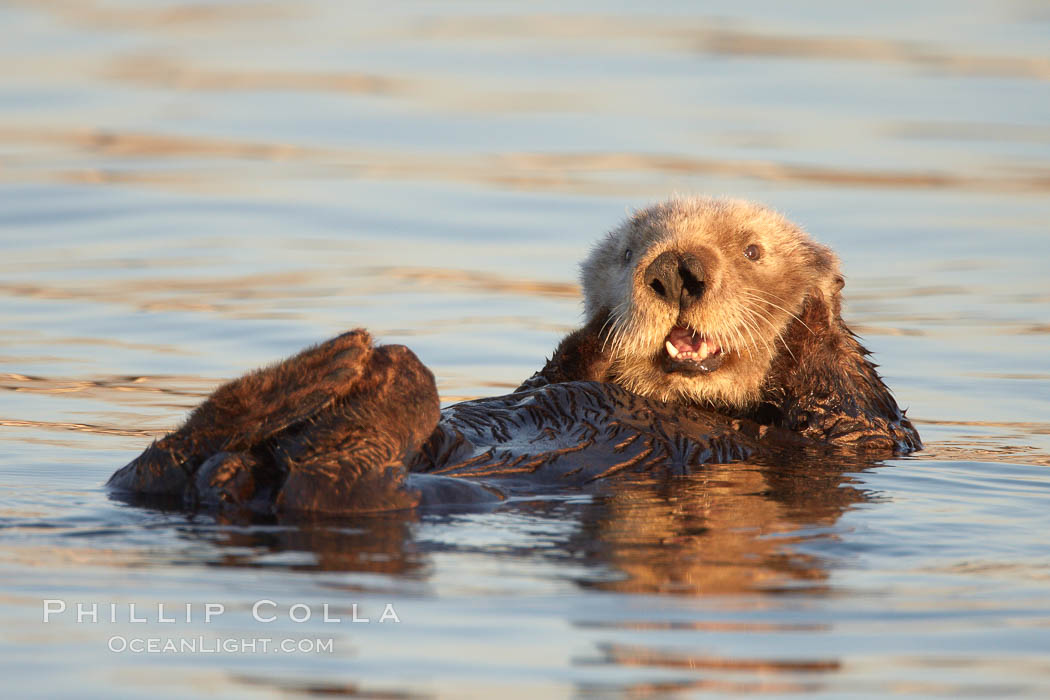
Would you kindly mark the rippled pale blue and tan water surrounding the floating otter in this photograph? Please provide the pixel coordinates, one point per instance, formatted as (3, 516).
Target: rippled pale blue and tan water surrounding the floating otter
(192, 190)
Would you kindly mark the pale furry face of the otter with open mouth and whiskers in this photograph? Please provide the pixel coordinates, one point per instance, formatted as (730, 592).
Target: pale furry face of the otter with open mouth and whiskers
(700, 293)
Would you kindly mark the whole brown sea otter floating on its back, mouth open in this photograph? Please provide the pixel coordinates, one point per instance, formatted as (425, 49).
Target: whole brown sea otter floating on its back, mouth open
(712, 333)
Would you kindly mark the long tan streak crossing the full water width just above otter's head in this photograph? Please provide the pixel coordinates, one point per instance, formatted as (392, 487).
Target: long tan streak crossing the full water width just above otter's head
(579, 173)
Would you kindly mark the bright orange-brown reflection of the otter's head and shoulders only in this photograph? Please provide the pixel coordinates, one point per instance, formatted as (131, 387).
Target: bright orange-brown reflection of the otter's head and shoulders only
(727, 531)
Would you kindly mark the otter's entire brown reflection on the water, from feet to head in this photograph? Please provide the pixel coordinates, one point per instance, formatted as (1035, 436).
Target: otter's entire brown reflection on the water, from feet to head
(728, 529)
